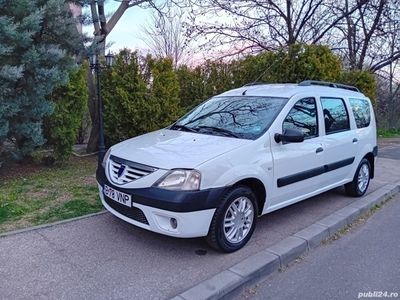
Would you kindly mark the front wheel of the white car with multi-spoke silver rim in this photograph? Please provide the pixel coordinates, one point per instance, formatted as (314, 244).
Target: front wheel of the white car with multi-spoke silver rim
(234, 220)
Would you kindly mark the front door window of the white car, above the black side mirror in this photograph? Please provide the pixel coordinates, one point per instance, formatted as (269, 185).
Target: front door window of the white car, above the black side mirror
(303, 116)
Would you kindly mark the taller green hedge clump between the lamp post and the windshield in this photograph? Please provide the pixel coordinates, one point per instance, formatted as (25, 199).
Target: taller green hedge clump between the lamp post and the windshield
(139, 95)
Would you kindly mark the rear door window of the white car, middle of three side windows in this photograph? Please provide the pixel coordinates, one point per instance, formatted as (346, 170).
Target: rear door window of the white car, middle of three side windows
(336, 117)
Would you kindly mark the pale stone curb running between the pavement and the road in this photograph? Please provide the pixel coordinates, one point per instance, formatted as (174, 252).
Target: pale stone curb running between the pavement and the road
(268, 261)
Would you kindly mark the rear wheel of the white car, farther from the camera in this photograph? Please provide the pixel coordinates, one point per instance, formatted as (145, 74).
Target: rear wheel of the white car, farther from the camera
(361, 180)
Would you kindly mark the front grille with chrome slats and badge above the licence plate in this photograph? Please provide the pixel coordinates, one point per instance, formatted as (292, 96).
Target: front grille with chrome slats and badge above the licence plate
(123, 171)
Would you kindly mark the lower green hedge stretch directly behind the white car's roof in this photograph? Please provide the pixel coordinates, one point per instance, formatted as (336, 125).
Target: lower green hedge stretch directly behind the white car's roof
(295, 64)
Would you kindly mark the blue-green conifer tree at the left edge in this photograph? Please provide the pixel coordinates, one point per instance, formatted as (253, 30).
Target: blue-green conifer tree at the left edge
(38, 40)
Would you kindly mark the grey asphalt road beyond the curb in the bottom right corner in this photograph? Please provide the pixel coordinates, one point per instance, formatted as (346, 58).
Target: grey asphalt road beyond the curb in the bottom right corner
(364, 261)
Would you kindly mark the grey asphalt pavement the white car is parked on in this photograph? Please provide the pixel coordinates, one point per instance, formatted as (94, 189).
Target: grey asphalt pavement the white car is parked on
(105, 258)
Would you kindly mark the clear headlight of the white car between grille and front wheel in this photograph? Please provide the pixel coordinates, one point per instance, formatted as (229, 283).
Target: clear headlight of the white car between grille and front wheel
(180, 180)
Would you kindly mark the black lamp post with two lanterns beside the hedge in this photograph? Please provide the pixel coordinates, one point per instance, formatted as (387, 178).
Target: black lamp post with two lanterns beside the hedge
(95, 65)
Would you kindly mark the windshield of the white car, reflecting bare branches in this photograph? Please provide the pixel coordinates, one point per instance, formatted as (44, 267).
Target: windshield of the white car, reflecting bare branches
(246, 117)
